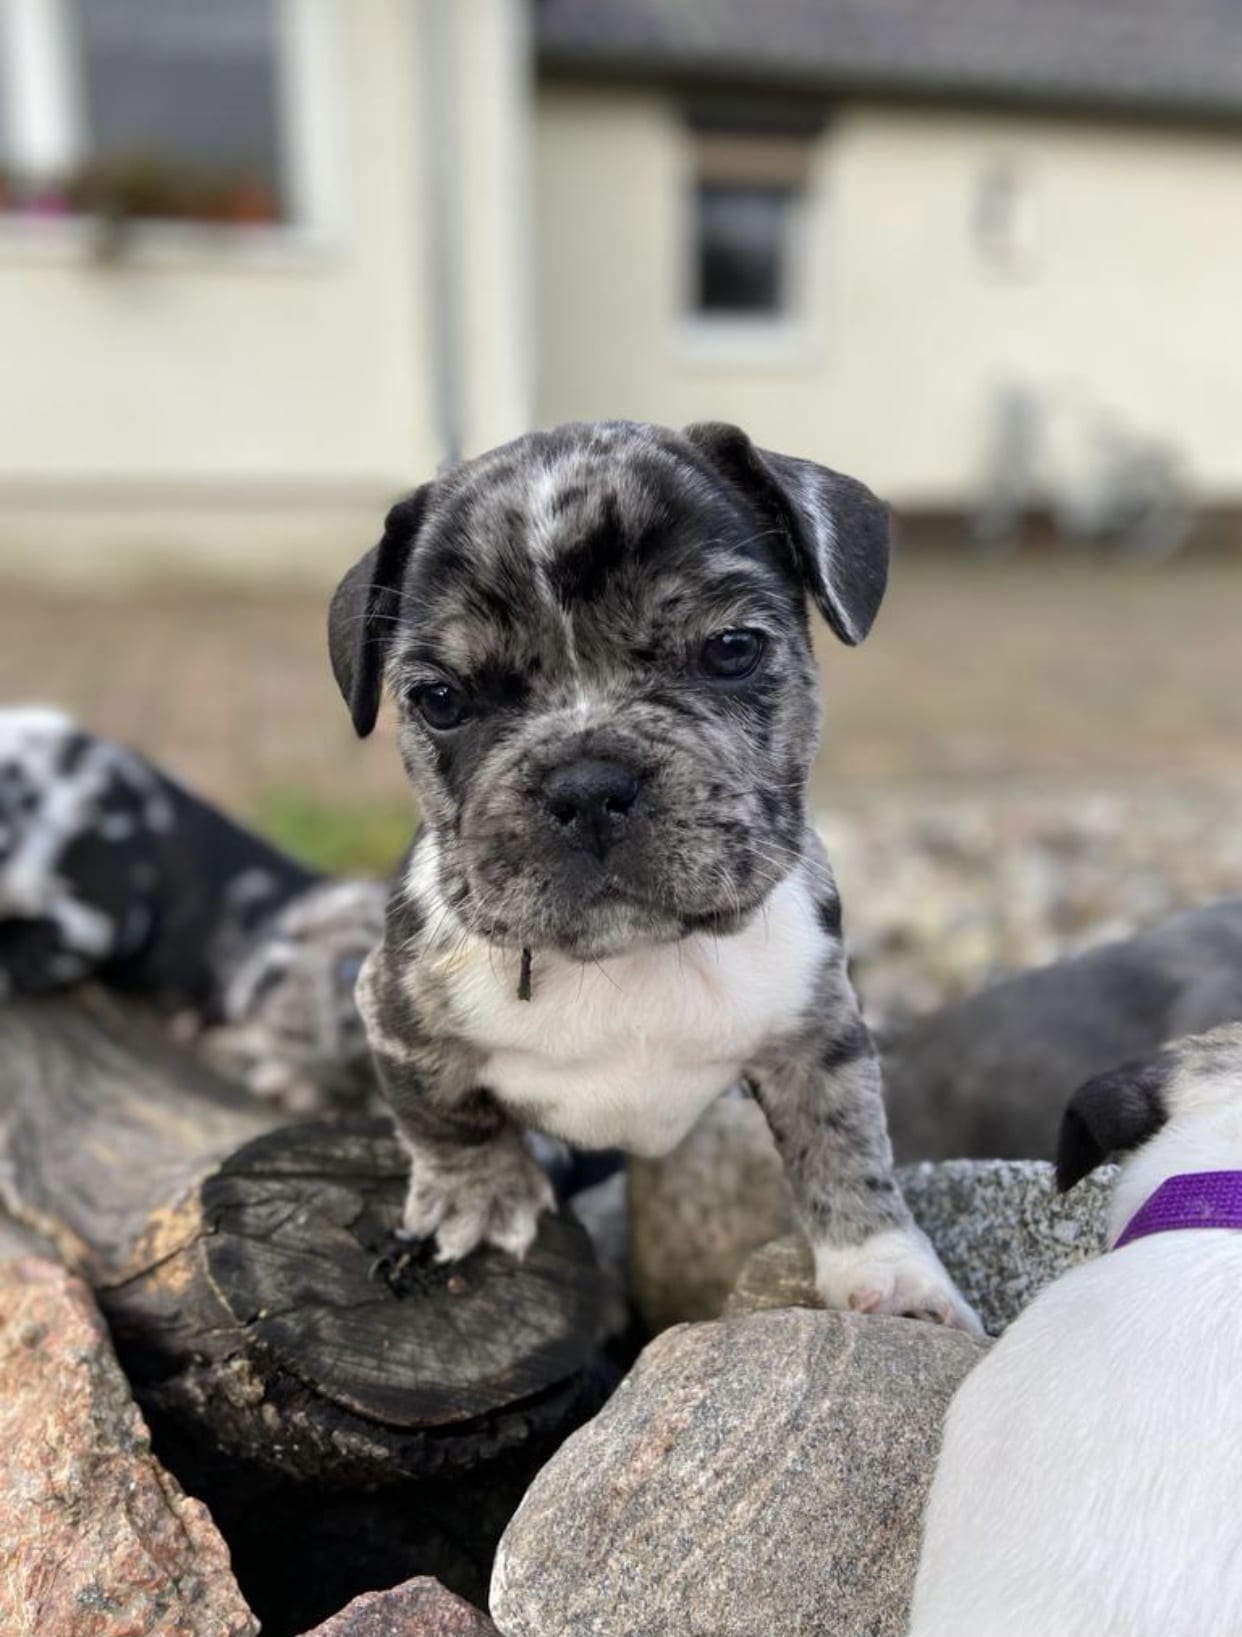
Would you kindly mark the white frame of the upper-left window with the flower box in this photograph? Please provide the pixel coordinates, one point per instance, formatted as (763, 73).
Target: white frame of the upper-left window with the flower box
(47, 132)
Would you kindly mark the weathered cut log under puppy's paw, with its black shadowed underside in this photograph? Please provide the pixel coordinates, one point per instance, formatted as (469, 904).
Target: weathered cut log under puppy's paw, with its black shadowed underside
(351, 1418)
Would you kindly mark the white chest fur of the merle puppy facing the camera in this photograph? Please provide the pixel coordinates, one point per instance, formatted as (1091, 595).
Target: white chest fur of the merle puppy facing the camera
(629, 1052)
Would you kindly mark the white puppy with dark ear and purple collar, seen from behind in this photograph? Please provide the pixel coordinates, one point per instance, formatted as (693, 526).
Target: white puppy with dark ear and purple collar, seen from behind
(1091, 1471)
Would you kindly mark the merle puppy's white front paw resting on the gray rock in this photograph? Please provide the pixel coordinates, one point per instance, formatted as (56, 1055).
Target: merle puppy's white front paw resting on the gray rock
(893, 1273)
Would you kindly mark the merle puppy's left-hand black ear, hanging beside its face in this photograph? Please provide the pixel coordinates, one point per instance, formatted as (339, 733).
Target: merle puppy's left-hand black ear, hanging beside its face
(364, 611)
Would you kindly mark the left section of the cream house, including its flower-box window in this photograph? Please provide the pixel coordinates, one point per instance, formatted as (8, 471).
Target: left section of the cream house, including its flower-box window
(263, 268)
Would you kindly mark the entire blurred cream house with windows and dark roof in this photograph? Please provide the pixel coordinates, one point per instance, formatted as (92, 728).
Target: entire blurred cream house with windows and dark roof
(269, 263)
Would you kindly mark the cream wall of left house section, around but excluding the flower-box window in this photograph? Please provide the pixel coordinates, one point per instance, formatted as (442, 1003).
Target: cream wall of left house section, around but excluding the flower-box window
(256, 400)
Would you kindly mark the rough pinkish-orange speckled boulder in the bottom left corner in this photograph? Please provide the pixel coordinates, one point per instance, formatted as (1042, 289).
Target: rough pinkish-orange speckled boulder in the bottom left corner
(99, 1540)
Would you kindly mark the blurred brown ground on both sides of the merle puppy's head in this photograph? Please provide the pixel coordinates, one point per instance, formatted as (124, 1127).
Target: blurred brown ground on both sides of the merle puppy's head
(979, 675)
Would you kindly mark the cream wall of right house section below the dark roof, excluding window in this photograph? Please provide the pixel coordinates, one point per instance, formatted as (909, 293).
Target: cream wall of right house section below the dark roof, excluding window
(1127, 299)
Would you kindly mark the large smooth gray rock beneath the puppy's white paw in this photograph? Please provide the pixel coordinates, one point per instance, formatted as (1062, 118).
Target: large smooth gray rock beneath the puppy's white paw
(754, 1476)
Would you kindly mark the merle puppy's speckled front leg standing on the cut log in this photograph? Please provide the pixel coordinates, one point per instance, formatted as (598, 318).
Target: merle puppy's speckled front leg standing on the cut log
(472, 1179)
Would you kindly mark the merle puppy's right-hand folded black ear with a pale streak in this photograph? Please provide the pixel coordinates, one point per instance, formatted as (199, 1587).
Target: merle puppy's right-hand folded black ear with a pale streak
(839, 530)
